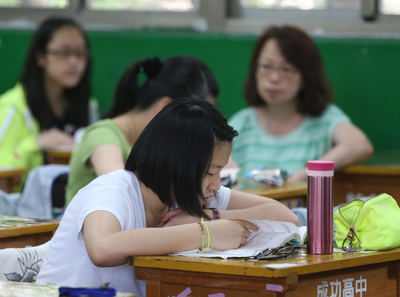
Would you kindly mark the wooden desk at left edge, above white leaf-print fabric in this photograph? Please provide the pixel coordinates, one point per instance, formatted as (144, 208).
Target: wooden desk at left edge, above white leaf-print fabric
(16, 232)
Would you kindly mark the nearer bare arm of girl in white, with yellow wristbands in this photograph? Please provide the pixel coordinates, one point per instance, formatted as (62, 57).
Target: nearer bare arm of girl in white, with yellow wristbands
(108, 246)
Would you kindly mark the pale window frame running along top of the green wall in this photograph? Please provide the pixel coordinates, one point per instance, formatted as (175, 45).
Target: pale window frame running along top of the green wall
(224, 16)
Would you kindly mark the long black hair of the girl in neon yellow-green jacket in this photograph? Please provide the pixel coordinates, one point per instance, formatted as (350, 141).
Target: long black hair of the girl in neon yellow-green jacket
(33, 83)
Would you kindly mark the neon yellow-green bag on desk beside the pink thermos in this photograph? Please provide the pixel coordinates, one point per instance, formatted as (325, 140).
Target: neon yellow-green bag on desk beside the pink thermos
(370, 225)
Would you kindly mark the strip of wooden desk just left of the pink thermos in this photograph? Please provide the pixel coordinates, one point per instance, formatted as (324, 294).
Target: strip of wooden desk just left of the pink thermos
(291, 194)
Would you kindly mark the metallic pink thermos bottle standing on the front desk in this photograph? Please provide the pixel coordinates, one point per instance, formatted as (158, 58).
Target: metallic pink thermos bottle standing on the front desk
(319, 207)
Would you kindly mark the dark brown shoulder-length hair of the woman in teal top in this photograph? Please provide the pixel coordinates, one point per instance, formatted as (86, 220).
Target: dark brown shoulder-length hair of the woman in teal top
(300, 50)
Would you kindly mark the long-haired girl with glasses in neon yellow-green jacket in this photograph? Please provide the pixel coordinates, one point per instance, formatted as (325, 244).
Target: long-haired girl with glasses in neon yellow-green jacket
(51, 100)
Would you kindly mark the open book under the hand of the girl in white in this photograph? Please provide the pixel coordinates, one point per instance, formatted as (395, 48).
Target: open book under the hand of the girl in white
(271, 234)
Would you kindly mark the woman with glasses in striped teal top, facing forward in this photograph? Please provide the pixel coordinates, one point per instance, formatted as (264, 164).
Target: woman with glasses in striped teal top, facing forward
(291, 118)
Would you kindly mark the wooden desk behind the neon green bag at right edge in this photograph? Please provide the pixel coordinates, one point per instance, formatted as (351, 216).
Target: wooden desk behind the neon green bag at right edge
(366, 180)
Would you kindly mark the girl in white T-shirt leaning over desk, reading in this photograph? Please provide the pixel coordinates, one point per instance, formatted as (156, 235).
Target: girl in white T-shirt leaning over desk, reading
(172, 172)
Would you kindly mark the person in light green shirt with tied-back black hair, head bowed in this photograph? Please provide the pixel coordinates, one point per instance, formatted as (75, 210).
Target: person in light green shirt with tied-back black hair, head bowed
(145, 88)
